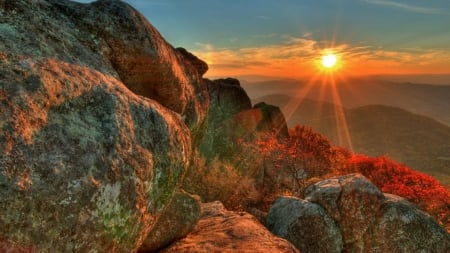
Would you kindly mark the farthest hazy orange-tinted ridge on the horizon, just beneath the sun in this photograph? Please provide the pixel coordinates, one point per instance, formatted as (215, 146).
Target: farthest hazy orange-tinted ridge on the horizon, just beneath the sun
(429, 100)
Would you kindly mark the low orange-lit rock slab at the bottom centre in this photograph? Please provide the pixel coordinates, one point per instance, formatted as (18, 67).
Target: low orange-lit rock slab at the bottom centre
(220, 230)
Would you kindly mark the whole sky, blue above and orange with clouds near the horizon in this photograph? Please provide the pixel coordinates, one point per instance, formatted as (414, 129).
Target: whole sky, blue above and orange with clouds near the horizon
(287, 38)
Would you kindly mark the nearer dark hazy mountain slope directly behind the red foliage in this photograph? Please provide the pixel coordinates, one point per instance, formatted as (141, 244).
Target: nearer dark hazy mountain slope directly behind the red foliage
(418, 141)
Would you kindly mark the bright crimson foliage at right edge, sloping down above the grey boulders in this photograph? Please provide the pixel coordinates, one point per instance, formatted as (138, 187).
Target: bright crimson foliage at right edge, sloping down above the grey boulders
(391, 177)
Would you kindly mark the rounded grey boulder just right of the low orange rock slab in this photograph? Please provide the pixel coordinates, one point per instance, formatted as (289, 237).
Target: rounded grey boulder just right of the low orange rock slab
(305, 224)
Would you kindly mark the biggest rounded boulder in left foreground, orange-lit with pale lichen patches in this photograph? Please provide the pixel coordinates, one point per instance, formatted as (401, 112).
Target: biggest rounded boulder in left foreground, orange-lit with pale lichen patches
(86, 165)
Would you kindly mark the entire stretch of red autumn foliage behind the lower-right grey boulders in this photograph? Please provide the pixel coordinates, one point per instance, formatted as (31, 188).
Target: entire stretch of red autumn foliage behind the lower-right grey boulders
(307, 155)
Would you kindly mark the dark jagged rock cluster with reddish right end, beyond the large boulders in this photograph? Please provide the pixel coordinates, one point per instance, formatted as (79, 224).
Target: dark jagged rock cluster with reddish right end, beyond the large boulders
(231, 117)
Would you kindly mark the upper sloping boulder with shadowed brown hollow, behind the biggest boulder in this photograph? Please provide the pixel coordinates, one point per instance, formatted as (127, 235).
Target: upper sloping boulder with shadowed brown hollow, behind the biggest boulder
(112, 37)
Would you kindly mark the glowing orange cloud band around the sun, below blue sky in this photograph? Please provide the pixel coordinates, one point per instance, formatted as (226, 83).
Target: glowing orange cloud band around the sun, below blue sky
(300, 57)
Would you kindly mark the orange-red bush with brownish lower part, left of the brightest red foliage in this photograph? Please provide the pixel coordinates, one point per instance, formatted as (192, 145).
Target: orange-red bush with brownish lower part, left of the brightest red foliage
(290, 162)
